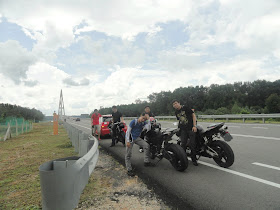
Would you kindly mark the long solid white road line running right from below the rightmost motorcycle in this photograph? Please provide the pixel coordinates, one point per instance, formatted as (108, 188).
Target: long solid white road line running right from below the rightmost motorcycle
(273, 184)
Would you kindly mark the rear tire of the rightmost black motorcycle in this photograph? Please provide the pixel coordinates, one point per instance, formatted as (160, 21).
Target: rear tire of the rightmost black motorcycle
(226, 155)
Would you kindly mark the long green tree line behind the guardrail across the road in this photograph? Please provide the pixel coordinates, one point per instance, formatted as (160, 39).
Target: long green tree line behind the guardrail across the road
(256, 97)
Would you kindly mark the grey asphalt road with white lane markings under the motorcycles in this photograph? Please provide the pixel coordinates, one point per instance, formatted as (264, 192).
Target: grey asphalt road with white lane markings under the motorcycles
(252, 182)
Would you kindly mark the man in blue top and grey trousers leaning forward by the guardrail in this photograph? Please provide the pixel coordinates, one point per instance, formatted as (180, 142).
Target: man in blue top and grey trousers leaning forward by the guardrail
(133, 136)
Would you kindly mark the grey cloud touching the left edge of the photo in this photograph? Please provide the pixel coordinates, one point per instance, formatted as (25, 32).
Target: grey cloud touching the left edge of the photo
(15, 60)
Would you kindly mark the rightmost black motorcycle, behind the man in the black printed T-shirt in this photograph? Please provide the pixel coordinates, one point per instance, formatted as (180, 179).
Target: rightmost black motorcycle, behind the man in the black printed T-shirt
(209, 145)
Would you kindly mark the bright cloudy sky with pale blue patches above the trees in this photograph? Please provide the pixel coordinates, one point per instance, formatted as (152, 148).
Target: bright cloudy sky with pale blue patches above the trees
(105, 53)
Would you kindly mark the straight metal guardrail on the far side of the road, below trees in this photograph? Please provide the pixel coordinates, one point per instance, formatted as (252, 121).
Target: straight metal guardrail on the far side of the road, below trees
(227, 117)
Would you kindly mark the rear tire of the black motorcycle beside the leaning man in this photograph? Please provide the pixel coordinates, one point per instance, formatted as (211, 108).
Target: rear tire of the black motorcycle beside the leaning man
(179, 158)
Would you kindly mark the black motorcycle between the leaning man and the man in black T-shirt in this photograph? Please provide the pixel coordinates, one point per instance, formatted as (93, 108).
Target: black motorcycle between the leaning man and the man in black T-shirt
(161, 147)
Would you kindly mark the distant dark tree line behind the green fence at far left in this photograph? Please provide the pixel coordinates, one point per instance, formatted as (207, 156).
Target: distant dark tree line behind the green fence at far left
(9, 110)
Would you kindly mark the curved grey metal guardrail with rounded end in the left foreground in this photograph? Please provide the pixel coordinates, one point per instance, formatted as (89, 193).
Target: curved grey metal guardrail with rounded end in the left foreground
(63, 180)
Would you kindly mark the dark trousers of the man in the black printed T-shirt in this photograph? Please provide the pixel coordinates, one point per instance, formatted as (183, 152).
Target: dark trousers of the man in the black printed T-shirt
(185, 135)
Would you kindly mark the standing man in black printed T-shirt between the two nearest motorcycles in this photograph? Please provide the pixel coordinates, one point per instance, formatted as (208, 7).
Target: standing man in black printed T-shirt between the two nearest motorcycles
(187, 125)
